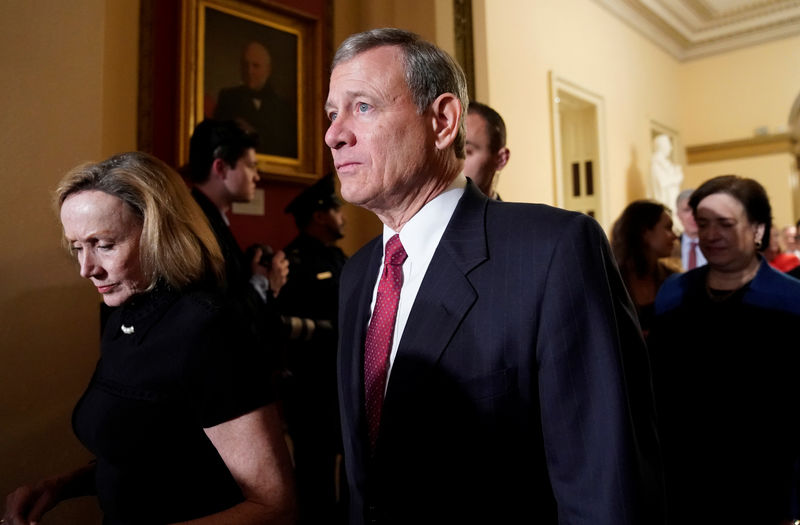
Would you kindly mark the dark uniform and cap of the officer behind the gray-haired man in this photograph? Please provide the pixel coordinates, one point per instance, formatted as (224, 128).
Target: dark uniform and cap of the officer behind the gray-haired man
(310, 298)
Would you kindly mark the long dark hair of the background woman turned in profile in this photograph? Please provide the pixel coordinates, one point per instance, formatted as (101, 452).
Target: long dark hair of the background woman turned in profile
(627, 235)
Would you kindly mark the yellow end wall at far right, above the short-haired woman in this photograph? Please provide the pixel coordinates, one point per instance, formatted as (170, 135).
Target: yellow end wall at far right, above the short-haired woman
(727, 97)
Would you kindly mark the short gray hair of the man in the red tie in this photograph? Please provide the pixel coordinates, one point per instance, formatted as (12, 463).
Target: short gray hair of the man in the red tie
(430, 71)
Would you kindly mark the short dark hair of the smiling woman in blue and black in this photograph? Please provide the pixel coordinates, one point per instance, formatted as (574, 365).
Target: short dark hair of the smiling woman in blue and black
(748, 192)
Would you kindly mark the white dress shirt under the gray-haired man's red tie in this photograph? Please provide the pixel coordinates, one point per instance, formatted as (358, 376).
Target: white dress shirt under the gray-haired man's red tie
(419, 236)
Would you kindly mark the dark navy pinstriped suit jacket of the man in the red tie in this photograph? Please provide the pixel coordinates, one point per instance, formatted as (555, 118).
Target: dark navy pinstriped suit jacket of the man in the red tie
(520, 392)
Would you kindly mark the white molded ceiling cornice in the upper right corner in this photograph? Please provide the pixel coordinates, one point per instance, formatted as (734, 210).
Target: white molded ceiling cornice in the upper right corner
(690, 29)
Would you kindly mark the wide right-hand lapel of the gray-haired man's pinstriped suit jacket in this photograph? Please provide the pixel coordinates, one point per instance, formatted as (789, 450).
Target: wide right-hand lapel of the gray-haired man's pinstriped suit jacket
(444, 298)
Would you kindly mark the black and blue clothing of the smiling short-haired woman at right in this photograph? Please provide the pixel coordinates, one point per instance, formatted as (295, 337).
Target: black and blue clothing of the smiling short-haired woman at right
(725, 369)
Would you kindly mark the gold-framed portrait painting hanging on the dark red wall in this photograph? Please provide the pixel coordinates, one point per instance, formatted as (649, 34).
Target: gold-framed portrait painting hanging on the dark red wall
(257, 63)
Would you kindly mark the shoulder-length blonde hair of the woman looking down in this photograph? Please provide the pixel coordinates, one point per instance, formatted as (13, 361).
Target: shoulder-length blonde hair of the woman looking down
(177, 245)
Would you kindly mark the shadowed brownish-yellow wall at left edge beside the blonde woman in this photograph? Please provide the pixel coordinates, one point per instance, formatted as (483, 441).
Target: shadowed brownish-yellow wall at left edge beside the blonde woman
(69, 95)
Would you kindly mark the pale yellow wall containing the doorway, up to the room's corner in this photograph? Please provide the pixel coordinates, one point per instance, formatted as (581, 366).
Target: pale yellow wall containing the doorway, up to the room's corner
(588, 46)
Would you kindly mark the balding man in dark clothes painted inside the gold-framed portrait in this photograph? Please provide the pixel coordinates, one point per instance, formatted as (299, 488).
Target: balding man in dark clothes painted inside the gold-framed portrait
(256, 102)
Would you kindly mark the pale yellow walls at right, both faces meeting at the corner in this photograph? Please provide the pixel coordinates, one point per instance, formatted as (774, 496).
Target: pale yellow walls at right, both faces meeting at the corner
(711, 100)
